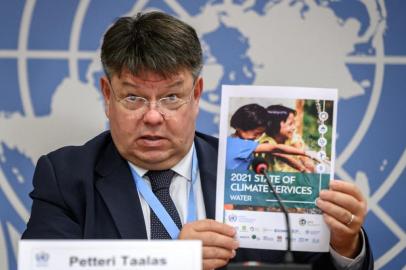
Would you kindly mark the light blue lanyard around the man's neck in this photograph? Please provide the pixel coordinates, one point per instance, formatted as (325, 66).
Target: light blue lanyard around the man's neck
(157, 206)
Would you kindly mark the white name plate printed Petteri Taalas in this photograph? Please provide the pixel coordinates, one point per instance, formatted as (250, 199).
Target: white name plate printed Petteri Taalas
(109, 254)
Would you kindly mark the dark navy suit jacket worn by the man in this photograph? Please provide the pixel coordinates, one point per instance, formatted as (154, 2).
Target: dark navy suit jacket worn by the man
(87, 192)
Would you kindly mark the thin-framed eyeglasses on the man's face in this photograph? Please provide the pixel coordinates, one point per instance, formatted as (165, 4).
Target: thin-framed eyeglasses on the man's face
(166, 106)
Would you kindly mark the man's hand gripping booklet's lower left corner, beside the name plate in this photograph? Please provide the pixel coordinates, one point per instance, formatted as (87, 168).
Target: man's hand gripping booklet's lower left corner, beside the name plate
(218, 240)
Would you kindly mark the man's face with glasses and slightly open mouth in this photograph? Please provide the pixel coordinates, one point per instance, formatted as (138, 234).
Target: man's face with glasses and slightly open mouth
(152, 140)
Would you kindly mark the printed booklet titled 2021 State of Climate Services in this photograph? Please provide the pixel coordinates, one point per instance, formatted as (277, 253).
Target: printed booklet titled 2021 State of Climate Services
(290, 132)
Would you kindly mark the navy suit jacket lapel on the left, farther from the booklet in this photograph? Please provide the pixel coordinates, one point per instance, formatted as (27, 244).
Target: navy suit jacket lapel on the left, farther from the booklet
(117, 188)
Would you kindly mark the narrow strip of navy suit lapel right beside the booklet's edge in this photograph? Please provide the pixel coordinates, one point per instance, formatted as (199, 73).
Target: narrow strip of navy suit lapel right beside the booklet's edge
(207, 156)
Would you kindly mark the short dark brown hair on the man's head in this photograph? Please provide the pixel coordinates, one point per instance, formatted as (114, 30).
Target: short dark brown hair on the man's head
(153, 41)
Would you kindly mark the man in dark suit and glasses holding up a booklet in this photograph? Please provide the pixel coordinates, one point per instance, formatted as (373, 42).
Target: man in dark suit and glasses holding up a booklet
(102, 189)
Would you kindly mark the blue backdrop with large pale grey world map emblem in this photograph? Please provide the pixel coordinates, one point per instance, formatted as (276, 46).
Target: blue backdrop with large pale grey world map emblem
(49, 97)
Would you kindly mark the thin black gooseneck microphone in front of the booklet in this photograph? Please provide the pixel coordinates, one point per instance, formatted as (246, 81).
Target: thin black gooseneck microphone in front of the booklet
(260, 166)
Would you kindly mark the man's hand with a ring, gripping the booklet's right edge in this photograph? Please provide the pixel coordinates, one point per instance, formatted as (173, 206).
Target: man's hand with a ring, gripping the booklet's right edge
(344, 210)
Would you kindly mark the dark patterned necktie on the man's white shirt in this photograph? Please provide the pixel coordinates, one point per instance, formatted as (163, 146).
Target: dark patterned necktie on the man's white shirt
(160, 182)
